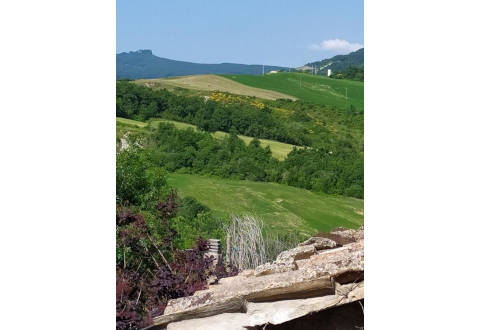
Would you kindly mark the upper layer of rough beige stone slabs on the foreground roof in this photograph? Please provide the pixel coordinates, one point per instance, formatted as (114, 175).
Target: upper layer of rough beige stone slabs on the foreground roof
(314, 277)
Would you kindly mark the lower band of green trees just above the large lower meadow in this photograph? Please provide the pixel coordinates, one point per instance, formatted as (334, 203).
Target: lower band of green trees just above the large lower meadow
(332, 169)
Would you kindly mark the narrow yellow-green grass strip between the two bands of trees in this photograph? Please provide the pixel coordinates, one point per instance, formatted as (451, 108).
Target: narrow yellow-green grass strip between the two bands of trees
(279, 150)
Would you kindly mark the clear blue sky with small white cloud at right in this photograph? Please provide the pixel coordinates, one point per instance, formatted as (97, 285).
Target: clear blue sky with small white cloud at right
(286, 33)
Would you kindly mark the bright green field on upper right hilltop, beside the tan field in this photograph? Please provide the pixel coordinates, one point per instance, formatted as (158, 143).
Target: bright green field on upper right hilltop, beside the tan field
(316, 89)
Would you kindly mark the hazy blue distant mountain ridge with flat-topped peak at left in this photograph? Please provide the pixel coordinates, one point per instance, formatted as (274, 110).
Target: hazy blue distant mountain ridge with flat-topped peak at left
(143, 64)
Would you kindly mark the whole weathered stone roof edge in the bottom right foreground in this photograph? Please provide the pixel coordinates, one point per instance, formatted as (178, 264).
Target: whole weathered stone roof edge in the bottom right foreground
(316, 274)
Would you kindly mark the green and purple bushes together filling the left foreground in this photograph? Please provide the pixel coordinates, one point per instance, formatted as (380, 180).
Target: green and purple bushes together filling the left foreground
(160, 246)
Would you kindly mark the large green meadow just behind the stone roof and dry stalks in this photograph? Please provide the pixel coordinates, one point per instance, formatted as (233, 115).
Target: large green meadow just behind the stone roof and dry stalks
(281, 207)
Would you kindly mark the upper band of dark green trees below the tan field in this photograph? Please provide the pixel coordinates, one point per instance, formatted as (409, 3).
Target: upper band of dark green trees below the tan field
(141, 103)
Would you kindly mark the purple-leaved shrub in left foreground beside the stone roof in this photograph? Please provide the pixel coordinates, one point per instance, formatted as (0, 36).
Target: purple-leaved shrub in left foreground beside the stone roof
(150, 270)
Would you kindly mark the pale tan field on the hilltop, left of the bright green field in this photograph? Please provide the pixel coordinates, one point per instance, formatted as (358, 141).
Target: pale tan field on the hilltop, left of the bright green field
(211, 82)
